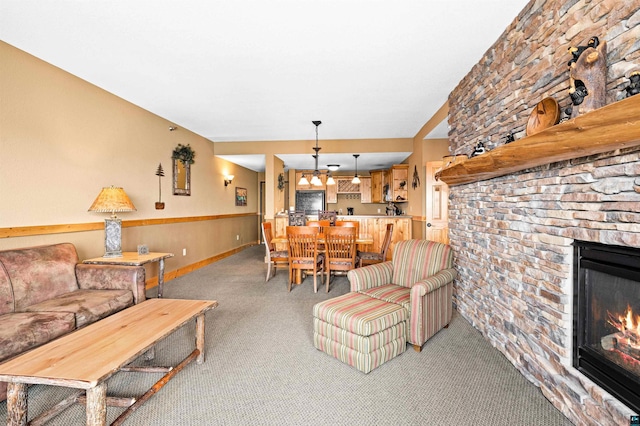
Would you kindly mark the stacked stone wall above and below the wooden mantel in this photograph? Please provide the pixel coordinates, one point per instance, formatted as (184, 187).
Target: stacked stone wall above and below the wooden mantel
(512, 235)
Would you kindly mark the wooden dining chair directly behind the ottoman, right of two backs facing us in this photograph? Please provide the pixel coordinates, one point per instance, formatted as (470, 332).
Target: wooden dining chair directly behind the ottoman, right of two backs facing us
(340, 250)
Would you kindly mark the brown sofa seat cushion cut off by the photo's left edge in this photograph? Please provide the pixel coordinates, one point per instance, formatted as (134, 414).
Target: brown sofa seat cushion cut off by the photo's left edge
(25, 330)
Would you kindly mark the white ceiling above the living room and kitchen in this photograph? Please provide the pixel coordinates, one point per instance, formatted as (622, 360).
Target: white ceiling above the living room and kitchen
(261, 70)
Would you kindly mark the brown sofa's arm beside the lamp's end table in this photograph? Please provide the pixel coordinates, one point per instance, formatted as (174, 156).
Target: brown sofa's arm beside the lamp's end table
(112, 277)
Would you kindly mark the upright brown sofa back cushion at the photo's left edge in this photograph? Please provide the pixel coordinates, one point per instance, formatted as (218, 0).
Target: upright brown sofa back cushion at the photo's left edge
(40, 273)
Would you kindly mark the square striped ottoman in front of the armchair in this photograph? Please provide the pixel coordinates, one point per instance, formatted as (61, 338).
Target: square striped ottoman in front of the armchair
(359, 330)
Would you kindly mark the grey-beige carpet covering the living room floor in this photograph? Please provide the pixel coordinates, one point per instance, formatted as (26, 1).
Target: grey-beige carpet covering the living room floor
(262, 368)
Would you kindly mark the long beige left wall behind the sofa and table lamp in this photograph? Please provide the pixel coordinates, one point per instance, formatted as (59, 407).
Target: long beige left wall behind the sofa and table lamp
(62, 139)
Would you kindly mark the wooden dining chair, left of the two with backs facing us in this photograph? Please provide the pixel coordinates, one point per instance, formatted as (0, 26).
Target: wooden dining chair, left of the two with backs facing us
(302, 244)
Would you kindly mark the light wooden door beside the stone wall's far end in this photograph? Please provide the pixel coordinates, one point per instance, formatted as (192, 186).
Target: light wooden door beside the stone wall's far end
(437, 198)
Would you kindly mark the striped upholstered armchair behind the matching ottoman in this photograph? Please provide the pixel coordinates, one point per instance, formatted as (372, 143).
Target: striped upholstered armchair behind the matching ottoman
(420, 278)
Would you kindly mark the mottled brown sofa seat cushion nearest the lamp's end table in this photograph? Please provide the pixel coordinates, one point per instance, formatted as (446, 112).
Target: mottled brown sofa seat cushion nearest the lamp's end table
(87, 305)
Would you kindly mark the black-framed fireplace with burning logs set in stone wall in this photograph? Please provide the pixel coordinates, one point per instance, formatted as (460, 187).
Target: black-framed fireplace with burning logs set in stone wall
(606, 330)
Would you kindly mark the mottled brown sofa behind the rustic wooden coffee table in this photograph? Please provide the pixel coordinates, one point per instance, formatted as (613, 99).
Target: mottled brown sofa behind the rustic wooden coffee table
(45, 292)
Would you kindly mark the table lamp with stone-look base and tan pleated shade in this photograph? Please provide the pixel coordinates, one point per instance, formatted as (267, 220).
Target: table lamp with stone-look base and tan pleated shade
(112, 200)
